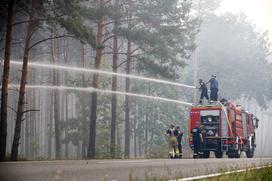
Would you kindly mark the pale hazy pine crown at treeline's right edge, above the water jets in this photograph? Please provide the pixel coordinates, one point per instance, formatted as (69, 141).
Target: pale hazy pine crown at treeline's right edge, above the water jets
(164, 33)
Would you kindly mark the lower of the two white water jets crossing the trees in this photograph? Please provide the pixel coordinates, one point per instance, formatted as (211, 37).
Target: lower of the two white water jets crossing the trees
(91, 89)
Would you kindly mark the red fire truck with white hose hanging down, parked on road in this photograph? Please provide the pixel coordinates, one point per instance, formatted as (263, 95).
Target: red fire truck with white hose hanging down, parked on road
(226, 127)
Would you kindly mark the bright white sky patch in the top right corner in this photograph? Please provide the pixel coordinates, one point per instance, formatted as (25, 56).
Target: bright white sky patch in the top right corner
(259, 11)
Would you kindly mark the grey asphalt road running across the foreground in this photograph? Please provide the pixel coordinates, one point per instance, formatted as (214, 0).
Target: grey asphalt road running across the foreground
(140, 169)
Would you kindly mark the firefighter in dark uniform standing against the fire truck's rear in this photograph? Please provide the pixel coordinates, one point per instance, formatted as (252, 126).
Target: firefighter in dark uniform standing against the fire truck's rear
(197, 142)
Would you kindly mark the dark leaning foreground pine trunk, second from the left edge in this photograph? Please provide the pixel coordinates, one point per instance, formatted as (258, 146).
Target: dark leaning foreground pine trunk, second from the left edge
(20, 108)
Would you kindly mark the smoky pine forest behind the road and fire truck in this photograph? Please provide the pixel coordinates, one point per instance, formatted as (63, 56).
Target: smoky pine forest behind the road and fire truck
(56, 104)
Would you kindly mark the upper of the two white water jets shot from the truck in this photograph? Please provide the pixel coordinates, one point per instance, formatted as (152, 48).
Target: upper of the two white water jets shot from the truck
(53, 66)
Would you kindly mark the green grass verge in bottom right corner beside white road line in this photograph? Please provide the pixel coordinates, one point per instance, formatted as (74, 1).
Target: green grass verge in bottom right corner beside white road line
(261, 174)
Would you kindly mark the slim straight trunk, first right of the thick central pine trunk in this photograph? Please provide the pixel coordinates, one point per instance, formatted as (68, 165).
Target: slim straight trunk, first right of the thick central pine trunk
(114, 88)
